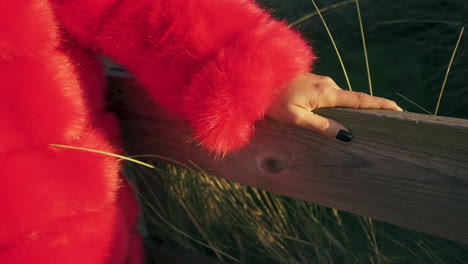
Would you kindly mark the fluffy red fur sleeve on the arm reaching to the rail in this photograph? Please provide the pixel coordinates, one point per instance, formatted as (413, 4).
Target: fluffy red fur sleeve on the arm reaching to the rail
(216, 64)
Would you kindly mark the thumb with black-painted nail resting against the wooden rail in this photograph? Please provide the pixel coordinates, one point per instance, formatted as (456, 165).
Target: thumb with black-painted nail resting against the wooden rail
(323, 125)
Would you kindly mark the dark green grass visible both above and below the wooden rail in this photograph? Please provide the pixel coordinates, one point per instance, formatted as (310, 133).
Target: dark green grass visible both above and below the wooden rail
(403, 48)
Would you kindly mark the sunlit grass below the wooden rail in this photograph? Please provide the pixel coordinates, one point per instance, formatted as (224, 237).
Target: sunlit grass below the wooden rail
(240, 224)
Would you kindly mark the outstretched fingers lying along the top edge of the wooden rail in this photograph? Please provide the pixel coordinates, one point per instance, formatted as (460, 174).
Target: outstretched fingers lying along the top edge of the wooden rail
(362, 100)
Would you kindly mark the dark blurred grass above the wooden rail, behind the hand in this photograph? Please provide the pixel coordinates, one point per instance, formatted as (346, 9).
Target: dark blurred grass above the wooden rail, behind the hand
(408, 45)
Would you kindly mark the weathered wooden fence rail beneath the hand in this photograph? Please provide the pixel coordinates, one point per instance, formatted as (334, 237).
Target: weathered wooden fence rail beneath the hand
(403, 168)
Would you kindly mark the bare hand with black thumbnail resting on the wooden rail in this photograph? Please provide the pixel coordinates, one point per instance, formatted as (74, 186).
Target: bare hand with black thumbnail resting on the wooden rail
(308, 91)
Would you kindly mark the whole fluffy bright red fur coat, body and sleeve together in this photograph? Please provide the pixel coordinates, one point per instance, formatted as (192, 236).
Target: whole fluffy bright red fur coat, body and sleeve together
(215, 63)
